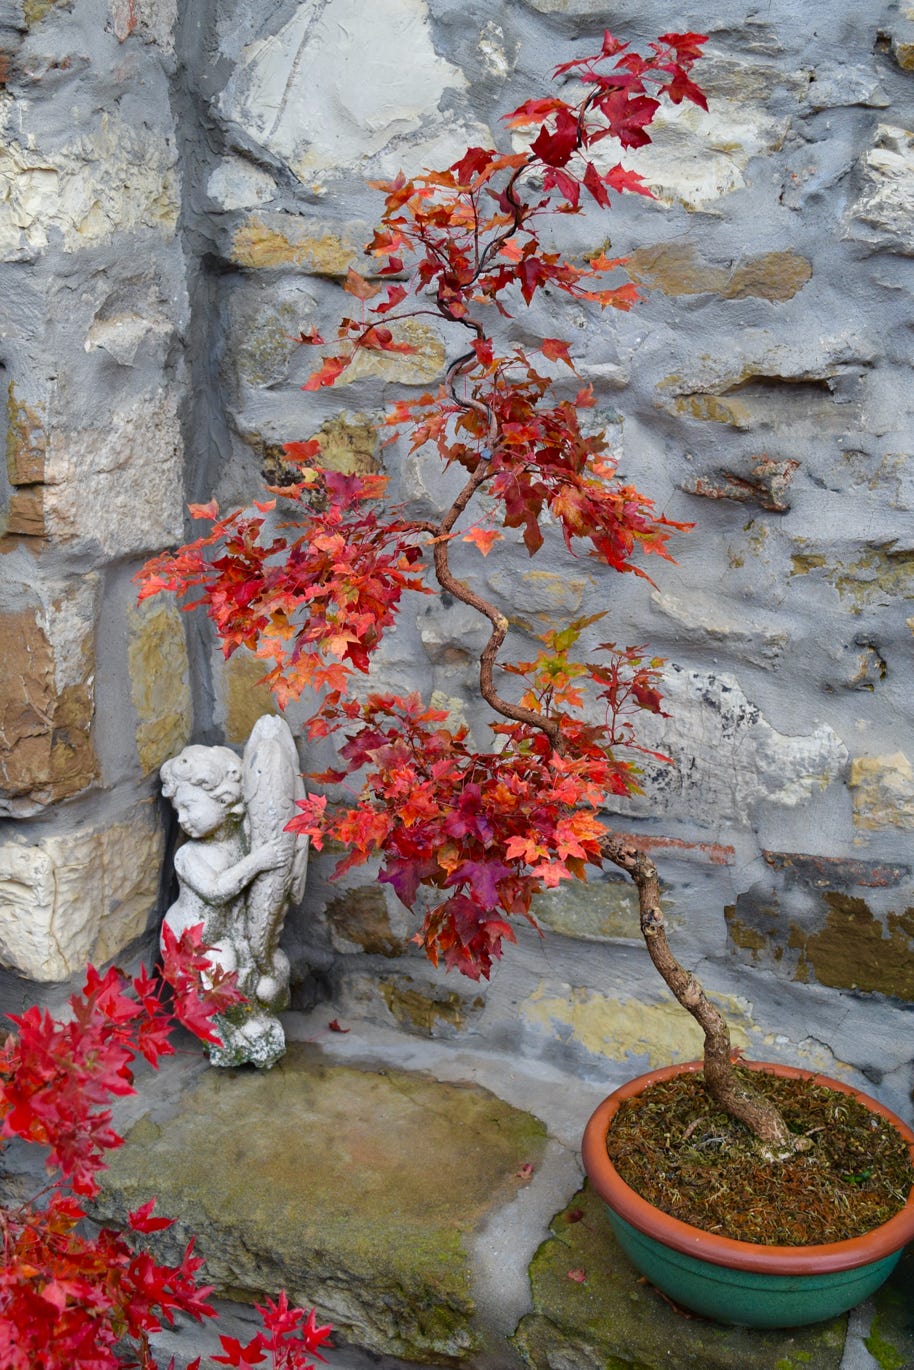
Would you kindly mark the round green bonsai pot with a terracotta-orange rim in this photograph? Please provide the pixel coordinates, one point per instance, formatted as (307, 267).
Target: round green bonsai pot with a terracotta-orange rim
(738, 1282)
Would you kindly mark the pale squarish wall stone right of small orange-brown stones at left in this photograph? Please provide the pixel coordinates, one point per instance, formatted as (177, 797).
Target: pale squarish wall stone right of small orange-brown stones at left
(119, 487)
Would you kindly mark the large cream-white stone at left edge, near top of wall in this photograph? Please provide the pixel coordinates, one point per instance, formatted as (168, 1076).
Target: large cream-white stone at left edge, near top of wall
(116, 179)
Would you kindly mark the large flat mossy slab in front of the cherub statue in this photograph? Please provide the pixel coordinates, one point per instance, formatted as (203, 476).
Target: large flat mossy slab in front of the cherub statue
(324, 1197)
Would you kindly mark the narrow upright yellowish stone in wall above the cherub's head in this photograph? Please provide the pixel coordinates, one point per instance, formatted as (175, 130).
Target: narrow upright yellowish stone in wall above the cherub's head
(160, 682)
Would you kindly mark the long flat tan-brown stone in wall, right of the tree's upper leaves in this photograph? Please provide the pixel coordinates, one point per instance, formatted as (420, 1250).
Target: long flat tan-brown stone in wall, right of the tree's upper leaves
(676, 269)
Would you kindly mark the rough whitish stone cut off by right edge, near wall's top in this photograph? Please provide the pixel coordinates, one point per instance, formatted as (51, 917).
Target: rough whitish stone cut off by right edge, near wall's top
(883, 214)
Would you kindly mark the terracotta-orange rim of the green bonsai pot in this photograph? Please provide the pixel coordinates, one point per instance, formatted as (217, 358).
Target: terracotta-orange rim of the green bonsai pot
(726, 1251)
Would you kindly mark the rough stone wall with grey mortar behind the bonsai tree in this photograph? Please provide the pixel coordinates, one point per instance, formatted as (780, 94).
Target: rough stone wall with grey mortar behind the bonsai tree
(183, 195)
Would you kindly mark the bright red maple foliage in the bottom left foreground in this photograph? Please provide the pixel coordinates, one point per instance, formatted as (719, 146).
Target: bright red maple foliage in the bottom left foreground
(71, 1297)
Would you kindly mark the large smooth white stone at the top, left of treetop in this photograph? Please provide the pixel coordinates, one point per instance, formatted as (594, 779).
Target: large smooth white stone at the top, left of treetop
(331, 91)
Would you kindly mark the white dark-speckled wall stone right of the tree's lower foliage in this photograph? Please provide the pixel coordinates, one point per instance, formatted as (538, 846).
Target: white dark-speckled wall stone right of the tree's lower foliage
(727, 758)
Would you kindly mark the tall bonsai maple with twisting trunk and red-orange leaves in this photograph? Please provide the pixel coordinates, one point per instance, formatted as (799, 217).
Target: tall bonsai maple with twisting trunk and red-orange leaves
(482, 831)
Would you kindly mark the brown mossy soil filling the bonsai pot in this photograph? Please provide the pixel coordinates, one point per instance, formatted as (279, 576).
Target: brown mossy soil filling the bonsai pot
(682, 1153)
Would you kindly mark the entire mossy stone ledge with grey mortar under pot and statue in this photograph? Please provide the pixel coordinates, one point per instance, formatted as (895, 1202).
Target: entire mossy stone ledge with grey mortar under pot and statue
(430, 1199)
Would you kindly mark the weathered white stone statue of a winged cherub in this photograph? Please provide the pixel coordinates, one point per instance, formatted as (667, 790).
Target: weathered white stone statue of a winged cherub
(238, 873)
